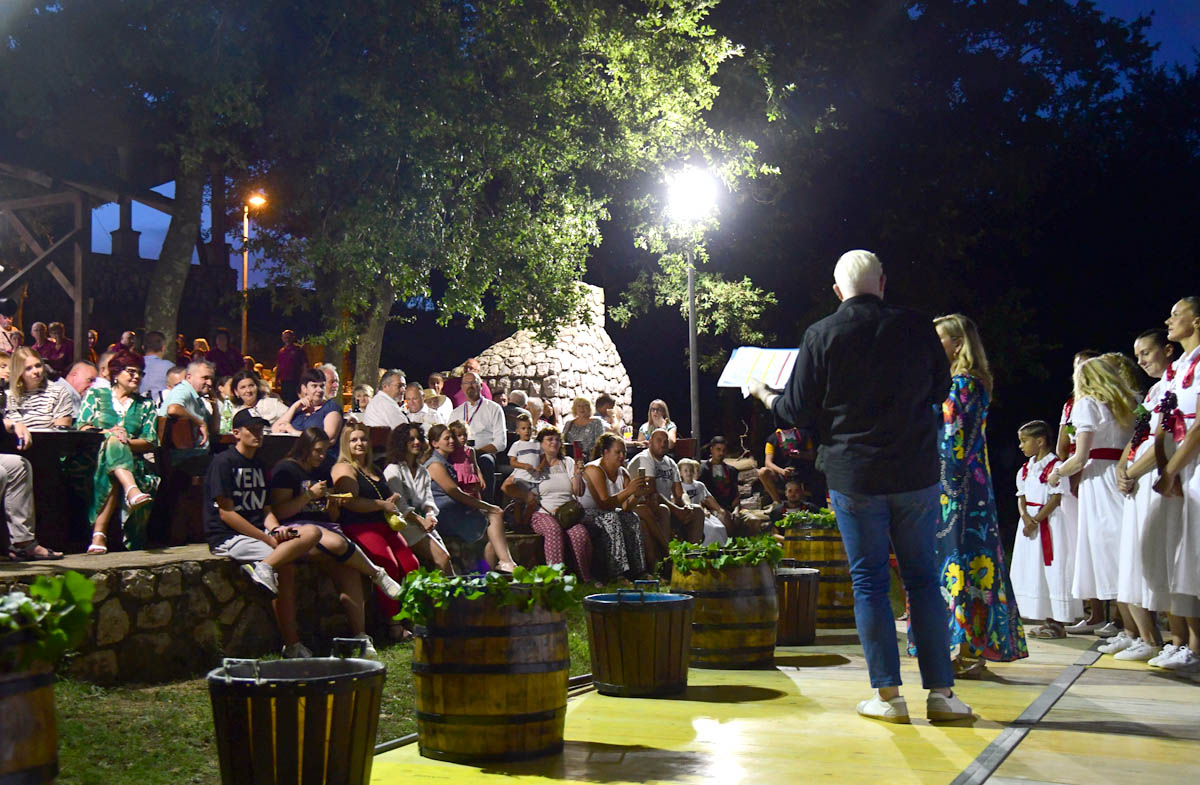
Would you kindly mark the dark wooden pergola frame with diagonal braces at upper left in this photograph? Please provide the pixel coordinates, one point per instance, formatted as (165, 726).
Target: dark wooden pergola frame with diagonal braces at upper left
(82, 197)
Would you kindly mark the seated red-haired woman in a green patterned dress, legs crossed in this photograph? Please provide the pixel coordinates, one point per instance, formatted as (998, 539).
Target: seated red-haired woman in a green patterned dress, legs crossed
(125, 481)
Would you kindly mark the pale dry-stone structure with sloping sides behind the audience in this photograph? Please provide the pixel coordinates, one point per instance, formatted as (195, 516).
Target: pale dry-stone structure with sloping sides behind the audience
(581, 362)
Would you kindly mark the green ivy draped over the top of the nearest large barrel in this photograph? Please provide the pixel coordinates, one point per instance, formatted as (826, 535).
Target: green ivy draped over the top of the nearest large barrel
(547, 586)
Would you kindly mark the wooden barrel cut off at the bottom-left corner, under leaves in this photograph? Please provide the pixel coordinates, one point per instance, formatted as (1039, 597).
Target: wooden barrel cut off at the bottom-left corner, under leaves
(29, 739)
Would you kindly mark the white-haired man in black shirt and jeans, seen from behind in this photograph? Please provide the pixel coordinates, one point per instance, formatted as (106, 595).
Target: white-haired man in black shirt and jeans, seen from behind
(868, 380)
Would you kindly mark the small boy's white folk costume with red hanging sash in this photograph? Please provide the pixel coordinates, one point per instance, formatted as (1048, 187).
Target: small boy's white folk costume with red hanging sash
(1043, 567)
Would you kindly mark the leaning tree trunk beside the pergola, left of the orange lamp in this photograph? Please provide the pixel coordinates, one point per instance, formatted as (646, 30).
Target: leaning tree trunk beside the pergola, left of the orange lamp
(170, 274)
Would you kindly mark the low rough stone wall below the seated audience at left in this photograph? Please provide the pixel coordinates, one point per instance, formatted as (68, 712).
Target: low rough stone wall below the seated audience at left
(182, 616)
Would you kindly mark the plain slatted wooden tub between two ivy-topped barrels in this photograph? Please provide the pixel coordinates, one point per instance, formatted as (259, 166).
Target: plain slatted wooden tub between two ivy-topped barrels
(639, 643)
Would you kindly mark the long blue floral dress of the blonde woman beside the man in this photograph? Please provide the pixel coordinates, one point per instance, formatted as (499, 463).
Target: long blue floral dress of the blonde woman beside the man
(975, 579)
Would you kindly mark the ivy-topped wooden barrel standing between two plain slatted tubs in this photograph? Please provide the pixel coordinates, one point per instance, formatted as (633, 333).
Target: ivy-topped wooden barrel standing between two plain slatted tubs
(734, 622)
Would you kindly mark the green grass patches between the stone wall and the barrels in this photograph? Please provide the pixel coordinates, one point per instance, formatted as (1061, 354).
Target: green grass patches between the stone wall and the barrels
(164, 734)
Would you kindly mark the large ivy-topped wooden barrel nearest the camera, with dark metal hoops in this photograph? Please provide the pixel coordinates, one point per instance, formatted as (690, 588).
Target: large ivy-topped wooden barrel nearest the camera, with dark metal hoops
(490, 682)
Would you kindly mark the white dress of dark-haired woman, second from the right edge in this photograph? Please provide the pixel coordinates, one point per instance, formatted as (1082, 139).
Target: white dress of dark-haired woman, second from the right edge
(1144, 562)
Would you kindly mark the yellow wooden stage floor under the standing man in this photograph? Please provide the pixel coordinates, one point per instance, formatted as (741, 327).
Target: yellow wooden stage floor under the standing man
(1064, 716)
